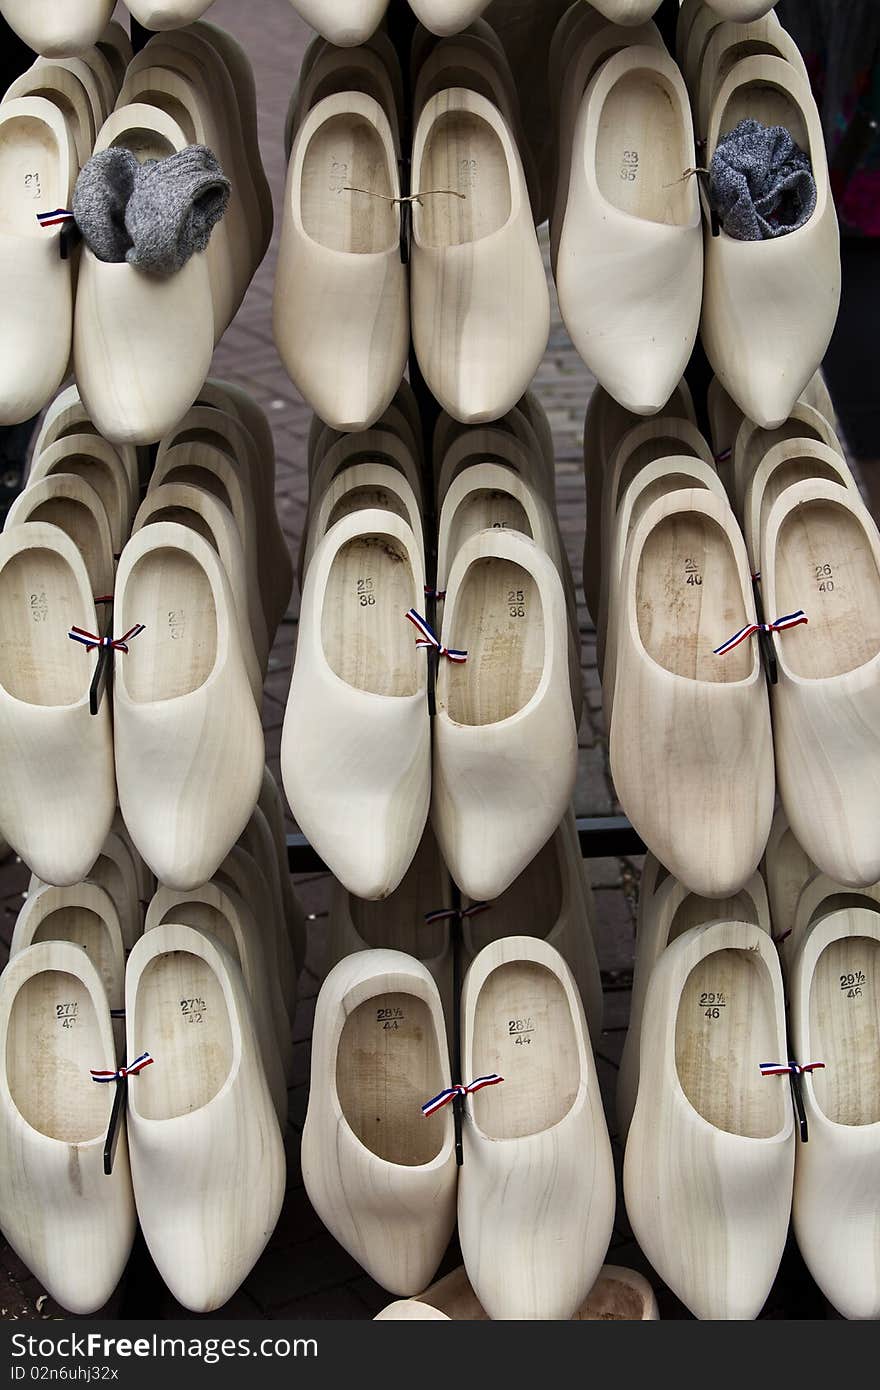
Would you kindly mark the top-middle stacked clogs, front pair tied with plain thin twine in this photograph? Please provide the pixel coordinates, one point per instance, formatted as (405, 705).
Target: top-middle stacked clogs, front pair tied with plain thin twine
(475, 290)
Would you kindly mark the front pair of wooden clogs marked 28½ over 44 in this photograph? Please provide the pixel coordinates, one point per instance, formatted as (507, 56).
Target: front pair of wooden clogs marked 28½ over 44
(536, 1195)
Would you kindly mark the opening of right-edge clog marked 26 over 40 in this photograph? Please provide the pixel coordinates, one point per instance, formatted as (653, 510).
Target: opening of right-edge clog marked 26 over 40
(825, 566)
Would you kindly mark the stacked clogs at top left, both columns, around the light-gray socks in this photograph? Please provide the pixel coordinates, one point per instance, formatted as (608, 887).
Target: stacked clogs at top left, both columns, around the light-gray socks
(141, 343)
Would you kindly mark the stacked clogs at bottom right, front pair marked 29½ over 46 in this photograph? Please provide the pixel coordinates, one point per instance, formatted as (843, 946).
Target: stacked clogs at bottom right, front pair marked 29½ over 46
(717, 1033)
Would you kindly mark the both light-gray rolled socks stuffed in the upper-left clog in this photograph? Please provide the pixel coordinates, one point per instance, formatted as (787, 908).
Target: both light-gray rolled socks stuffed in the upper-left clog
(156, 215)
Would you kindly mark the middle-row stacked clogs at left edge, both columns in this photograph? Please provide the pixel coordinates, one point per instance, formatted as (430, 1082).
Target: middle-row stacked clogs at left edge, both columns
(199, 591)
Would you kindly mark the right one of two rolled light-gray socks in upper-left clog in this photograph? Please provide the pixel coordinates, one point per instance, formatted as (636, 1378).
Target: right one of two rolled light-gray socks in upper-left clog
(173, 209)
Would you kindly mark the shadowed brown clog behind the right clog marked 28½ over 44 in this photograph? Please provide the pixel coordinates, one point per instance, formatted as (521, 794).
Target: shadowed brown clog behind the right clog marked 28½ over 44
(551, 900)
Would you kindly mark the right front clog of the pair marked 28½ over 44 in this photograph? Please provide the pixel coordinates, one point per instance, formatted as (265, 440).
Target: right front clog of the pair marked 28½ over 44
(535, 1143)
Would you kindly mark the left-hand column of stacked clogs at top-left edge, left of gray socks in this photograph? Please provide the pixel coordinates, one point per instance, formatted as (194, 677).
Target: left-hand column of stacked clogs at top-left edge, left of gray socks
(49, 120)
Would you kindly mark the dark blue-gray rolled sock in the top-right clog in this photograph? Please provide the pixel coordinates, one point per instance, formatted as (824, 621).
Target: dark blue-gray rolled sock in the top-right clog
(761, 183)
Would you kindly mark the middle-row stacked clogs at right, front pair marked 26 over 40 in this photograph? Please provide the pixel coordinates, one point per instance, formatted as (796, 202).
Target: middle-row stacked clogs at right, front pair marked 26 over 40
(681, 550)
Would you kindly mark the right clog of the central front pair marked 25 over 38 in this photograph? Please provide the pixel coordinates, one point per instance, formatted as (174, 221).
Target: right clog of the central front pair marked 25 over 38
(505, 740)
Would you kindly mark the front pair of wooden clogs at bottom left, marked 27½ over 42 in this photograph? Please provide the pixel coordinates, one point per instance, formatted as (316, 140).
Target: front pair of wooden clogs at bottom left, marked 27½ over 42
(199, 1157)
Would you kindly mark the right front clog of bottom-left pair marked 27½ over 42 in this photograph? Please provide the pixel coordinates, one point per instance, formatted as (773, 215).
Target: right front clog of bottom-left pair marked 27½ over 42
(206, 1152)
